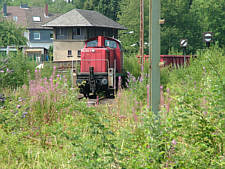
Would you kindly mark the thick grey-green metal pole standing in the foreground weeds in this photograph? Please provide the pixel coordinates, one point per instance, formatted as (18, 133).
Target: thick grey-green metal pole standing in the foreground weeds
(155, 73)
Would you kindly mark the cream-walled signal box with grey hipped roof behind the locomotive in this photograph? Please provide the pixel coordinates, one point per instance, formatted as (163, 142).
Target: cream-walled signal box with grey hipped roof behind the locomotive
(73, 28)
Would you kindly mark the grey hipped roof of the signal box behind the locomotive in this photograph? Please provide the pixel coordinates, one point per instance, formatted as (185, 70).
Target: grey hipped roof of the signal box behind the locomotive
(84, 18)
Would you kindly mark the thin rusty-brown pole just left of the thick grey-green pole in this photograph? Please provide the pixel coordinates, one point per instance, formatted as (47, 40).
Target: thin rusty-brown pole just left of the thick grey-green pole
(142, 34)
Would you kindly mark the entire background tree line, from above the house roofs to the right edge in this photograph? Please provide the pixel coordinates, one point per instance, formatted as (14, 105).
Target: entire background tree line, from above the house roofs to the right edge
(184, 19)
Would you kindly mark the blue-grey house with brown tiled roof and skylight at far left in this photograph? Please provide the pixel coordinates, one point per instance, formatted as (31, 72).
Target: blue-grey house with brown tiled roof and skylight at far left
(32, 18)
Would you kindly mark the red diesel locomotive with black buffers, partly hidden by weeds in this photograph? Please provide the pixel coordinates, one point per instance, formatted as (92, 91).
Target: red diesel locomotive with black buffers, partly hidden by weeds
(101, 66)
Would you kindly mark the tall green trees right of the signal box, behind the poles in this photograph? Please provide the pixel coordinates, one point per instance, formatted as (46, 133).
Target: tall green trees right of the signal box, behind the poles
(184, 19)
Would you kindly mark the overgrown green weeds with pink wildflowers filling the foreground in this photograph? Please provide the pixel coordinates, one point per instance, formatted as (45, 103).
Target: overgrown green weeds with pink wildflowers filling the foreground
(44, 125)
